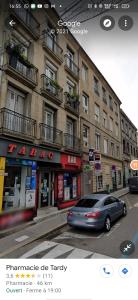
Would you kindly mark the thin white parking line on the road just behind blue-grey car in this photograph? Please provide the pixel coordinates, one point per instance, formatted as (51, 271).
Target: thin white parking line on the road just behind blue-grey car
(72, 235)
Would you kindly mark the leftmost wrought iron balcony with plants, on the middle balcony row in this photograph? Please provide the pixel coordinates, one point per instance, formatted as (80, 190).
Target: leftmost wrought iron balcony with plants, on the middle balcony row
(19, 67)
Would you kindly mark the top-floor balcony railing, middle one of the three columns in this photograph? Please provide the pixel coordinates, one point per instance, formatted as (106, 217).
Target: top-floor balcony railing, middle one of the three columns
(49, 42)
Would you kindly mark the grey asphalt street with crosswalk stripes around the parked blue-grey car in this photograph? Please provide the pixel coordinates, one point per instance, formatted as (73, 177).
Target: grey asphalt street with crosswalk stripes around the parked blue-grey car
(76, 243)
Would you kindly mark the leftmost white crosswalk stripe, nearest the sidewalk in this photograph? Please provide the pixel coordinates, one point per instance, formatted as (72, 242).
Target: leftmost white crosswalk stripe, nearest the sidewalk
(41, 247)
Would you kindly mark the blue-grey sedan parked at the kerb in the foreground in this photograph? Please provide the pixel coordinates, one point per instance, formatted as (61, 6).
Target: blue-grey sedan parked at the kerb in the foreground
(96, 211)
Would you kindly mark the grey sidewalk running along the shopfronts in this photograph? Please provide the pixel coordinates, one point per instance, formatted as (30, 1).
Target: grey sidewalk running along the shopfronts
(45, 225)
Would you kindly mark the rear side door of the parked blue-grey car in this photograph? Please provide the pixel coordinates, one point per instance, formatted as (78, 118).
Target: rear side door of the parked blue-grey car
(110, 208)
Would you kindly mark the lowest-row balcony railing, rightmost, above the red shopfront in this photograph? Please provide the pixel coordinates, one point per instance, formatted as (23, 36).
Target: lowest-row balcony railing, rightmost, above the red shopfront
(71, 142)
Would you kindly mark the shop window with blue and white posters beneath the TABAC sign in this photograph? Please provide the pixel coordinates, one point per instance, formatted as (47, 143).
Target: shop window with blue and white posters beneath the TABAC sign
(19, 186)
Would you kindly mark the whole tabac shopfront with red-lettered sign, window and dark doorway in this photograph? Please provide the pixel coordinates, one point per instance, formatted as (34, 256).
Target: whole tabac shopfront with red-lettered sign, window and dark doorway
(21, 191)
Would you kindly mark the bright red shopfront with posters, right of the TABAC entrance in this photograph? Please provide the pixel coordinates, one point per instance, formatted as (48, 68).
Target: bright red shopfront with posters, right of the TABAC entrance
(68, 181)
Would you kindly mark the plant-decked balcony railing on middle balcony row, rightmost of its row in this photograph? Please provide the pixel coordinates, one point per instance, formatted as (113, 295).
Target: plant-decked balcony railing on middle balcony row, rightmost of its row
(72, 102)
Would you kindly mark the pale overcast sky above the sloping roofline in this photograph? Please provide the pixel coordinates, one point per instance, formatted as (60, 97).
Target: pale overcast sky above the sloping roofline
(115, 53)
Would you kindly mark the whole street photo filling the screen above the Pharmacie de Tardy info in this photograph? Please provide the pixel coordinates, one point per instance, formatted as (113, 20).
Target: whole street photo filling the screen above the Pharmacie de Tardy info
(68, 129)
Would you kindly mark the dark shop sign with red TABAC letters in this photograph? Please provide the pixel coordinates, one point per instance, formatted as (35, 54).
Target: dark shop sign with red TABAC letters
(23, 151)
